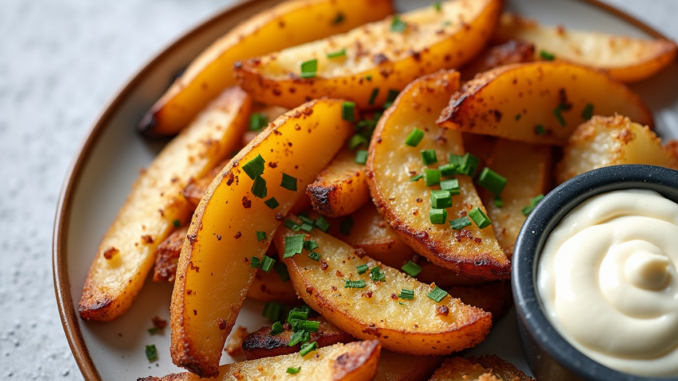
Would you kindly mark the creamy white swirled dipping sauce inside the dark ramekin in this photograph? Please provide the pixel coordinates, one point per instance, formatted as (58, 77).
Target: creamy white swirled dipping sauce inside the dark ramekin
(607, 280)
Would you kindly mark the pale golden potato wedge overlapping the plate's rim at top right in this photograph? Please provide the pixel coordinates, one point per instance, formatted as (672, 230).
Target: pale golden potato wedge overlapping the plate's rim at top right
(624, 58)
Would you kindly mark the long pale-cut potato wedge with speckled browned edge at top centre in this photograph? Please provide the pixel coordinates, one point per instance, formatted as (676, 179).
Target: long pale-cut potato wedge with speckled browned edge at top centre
(377, 57)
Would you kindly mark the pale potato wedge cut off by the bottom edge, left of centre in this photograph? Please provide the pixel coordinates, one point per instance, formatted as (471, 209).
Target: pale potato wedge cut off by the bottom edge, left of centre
(355, 361)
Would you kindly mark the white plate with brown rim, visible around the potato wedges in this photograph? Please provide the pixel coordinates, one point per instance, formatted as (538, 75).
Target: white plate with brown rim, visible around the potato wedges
(107, 164)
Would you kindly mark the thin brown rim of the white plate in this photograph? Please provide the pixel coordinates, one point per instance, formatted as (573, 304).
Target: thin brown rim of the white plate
(69, 316)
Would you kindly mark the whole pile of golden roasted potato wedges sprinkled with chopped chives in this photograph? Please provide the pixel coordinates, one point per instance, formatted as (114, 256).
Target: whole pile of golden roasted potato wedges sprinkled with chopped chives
(365, 174)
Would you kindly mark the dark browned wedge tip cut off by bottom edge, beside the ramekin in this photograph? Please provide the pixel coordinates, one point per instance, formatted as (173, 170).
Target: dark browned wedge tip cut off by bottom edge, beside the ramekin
(485, 368)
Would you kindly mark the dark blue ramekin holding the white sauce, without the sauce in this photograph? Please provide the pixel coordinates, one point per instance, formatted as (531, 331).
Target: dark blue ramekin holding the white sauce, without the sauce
(548, 354)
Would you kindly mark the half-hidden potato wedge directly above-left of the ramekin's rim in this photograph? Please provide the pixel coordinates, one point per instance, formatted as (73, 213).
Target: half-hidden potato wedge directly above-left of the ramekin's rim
(527, 169)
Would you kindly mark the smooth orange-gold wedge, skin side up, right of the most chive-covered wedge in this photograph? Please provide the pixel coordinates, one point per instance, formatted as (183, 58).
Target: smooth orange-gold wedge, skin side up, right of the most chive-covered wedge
(540, 102)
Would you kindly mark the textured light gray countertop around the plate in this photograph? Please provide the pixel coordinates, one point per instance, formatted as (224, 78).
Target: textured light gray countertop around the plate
(60, 61)
